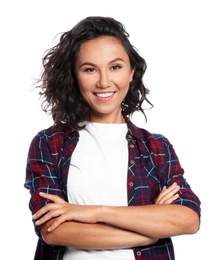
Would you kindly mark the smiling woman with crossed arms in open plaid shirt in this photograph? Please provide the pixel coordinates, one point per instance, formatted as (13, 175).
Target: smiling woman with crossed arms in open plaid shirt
(102, 188)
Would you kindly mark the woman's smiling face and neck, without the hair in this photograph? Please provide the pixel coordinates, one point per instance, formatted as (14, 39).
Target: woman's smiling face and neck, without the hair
(104, 73)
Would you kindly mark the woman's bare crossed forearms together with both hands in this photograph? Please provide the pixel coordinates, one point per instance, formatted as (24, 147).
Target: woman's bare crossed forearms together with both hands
(109, 227)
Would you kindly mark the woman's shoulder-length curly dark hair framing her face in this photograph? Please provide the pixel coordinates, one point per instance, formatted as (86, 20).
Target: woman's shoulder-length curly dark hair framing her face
(58, 84)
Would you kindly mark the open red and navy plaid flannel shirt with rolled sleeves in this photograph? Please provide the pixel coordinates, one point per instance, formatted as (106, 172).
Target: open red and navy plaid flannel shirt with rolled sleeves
(152, 164)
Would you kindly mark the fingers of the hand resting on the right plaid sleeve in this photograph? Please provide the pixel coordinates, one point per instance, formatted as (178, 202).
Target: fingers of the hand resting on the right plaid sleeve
(168, 195)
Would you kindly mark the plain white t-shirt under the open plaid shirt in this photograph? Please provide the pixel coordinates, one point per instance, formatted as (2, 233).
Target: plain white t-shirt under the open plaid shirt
(98, 176)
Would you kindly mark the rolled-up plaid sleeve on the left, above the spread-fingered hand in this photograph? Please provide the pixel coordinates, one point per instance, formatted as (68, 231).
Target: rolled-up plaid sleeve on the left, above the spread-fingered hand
(42, 172)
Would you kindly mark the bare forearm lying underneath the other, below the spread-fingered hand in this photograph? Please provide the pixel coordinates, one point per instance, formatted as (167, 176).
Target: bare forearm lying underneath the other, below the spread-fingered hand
(93, 236)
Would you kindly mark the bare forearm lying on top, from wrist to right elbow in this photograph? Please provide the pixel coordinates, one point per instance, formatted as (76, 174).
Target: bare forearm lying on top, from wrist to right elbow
(153, 220)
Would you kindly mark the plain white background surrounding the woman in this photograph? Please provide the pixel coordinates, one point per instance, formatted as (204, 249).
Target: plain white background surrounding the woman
(180, 42)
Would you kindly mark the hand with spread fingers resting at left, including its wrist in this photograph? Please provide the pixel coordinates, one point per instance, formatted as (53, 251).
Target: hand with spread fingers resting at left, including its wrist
(64, 211)
